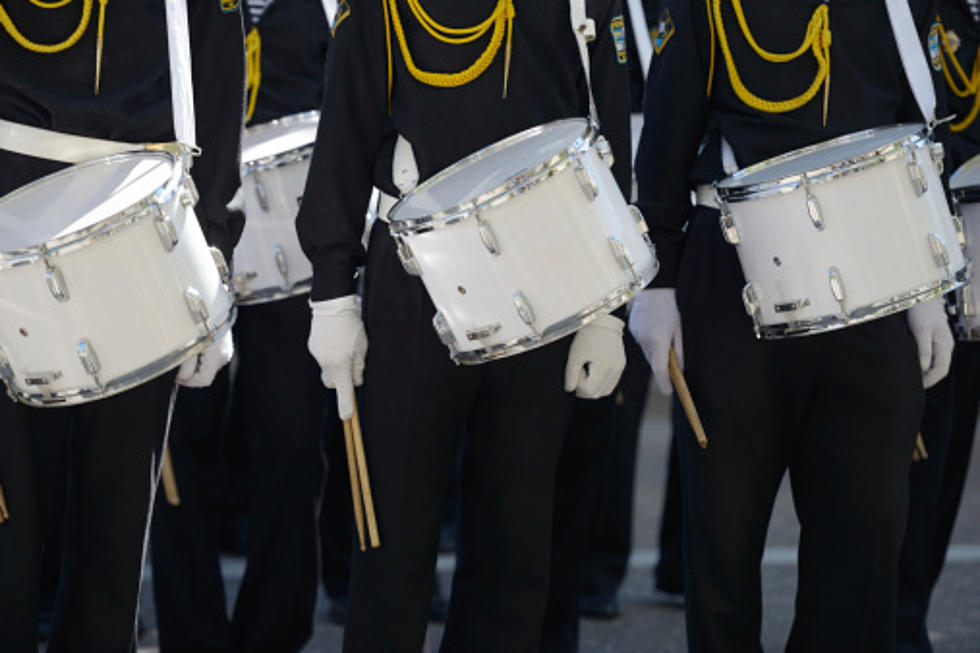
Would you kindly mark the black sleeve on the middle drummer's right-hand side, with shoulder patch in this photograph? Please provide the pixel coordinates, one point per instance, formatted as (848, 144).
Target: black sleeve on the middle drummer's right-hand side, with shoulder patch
(610, 87)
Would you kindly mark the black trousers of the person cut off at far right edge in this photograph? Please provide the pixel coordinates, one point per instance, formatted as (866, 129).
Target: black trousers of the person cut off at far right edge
(936, 486)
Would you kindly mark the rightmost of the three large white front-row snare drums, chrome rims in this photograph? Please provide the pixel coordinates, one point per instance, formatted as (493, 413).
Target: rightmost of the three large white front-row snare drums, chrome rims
(842, 232)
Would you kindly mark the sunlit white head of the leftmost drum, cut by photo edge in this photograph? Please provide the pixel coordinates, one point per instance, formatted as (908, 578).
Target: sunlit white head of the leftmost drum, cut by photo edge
(79, 197)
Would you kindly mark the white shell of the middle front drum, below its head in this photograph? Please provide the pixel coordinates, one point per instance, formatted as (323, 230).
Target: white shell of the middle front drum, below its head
(554, 252)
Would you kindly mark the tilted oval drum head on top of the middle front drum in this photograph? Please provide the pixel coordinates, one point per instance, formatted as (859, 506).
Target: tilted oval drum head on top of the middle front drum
(489, 168)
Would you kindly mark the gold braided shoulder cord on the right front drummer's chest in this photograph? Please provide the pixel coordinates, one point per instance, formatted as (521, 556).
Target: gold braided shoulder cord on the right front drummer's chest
(817, 40)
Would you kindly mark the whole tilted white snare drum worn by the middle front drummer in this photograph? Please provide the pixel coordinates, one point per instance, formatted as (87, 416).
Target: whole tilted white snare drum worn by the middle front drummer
(523, 242)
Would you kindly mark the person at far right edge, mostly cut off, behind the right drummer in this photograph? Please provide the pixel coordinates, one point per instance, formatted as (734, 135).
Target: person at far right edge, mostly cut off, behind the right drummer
(950, 420)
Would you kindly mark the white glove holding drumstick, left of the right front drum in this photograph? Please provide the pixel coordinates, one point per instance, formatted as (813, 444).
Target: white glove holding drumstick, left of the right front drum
(655, 322)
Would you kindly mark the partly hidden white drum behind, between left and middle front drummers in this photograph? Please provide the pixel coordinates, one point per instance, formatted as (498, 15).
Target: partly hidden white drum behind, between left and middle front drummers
(269, 263)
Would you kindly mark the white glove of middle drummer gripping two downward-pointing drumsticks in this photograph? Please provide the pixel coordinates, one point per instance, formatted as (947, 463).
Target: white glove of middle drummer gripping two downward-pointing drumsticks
(338, 342)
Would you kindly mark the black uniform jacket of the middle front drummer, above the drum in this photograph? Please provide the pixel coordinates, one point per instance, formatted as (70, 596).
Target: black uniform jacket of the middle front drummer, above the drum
(356, 134)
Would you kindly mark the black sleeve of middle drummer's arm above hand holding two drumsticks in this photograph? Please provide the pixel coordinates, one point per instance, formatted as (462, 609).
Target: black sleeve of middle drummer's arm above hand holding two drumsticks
(353, 124)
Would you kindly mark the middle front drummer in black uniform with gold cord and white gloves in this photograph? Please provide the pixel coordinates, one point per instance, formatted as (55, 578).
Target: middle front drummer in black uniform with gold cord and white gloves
(415, 401)
